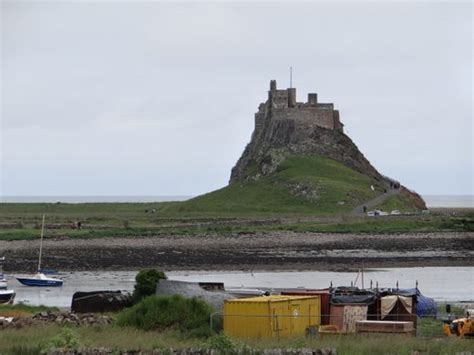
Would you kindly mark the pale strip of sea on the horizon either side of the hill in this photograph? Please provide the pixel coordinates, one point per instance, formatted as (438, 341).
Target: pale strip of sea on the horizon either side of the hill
(432, 201)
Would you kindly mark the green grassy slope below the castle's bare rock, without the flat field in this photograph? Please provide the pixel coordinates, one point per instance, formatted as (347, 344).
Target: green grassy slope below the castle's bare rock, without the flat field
(301, 185)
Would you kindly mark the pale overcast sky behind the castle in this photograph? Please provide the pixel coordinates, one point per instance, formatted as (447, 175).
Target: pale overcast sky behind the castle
(158, 98)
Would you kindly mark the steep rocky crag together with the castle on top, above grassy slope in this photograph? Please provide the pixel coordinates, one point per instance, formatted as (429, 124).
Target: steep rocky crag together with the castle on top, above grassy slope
(288, 128)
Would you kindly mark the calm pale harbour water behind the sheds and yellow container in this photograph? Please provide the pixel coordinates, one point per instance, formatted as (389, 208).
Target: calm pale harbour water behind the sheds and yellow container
(442, 283)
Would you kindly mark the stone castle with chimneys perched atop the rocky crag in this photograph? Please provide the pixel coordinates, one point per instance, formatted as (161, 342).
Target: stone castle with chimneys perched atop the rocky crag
(282, 105)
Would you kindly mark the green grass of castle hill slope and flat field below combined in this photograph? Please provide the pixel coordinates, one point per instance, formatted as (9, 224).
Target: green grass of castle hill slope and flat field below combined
(303, 187)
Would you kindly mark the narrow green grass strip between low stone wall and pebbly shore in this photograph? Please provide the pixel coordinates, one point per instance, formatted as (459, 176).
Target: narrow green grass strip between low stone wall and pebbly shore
(391, 224)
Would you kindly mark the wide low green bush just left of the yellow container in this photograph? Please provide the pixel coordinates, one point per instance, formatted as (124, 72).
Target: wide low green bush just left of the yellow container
(188, 315)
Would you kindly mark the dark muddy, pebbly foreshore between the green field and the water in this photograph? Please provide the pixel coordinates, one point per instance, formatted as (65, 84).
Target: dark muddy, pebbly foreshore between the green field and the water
(270, 251)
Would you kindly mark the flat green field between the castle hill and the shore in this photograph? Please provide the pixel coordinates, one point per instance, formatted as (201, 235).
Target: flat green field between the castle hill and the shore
(22, 221)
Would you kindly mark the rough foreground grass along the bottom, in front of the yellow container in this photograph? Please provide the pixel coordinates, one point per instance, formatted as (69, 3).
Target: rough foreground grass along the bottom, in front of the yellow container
(36, 338)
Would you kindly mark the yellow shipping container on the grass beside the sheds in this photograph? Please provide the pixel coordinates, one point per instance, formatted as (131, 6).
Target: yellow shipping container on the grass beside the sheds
(271, 316)
